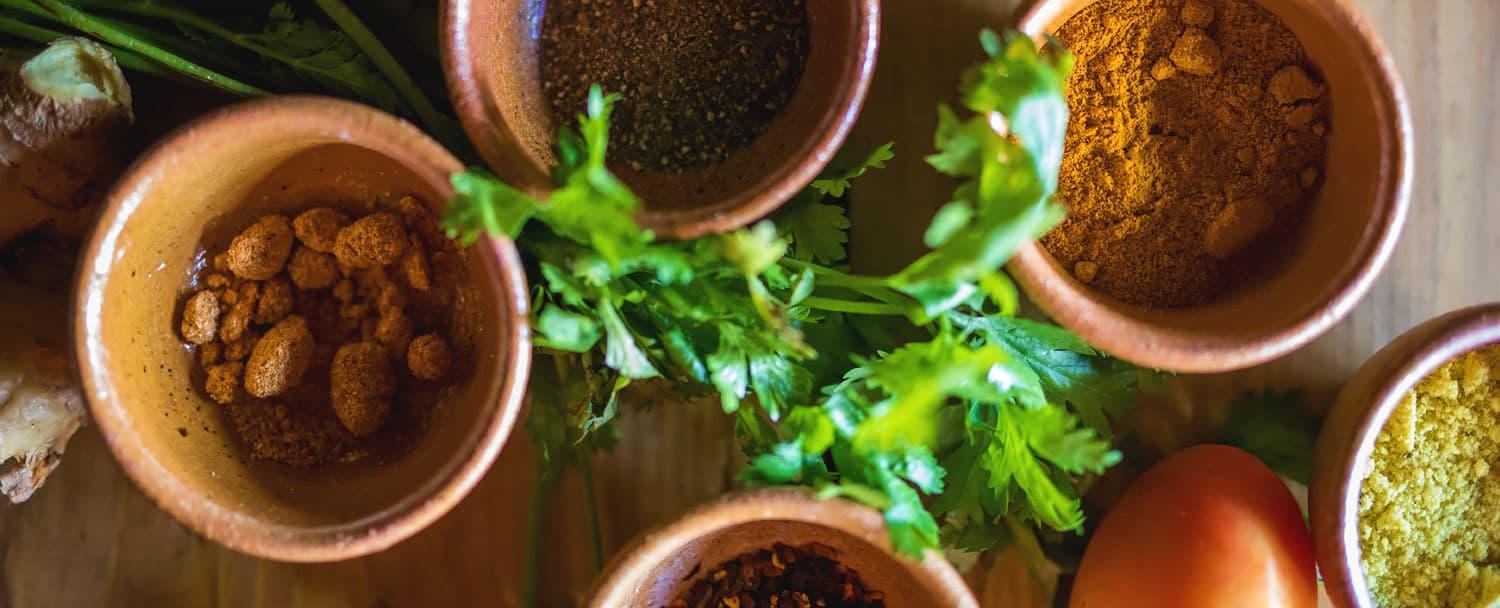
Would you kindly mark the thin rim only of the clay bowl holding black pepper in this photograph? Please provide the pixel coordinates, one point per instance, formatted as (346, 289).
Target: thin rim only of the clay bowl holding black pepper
(487, 127)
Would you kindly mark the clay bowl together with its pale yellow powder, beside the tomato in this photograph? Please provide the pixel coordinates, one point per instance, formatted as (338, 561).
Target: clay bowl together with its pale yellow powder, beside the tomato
(1406, 487)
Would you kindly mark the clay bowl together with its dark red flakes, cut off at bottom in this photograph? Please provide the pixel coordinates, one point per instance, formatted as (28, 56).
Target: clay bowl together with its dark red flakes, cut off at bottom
(776, 549)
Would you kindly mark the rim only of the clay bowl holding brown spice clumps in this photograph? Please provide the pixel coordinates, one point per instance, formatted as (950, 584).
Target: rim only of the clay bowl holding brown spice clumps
(335, 122)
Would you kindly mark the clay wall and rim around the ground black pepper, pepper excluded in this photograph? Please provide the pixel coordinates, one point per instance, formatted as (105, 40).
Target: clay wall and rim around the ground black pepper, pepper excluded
(490, 56)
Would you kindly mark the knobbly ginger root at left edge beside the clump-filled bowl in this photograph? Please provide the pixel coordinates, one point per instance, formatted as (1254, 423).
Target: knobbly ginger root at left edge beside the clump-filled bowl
(64, 118)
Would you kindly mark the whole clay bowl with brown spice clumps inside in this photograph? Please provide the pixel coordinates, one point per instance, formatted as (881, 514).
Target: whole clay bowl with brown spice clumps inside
(280, 343)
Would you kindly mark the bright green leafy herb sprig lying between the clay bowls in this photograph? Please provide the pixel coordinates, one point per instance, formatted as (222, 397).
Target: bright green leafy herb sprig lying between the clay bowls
(983, 423)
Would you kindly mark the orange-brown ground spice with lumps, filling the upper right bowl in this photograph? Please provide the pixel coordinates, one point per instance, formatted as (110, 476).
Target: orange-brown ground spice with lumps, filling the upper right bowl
(1195, 146)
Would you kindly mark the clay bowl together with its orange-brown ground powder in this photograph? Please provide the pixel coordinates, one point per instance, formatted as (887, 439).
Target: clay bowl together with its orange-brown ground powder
(1237, 175)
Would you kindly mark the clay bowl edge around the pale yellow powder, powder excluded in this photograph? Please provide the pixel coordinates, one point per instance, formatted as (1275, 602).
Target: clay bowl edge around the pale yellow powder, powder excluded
(1349, 438)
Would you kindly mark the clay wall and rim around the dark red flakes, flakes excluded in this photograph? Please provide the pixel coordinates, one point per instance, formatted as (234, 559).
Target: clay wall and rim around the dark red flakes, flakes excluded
(655, 568)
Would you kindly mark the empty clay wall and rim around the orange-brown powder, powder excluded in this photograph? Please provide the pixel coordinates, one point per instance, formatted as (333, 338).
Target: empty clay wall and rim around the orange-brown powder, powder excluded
(1349, 230)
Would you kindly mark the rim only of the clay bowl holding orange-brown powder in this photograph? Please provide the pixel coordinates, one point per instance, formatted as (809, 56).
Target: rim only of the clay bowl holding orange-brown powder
(1163, 348)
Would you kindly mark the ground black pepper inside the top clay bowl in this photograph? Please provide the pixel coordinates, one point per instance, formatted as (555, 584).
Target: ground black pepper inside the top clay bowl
(700, 79)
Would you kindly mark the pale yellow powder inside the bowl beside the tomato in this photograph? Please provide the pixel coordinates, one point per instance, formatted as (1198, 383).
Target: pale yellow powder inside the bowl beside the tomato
(1430, 508)
